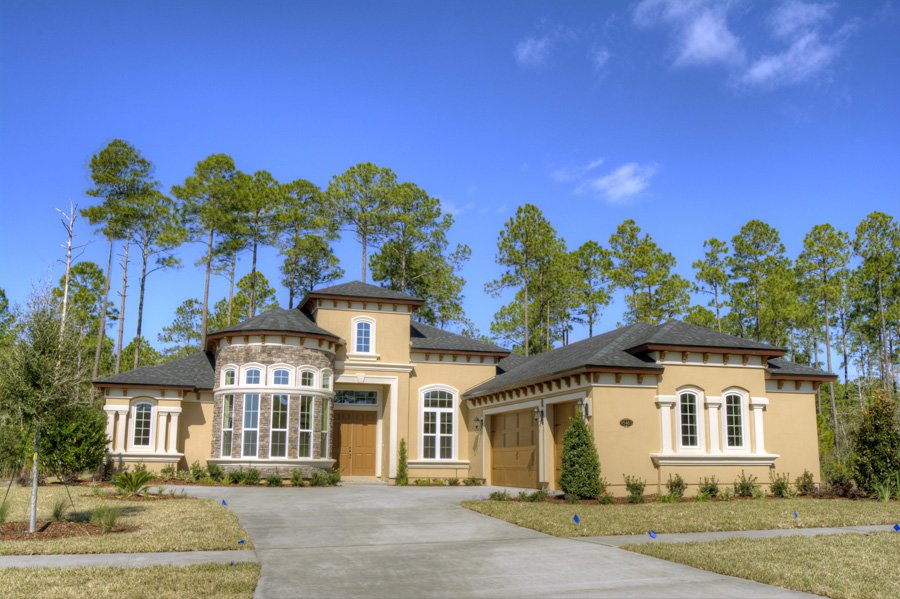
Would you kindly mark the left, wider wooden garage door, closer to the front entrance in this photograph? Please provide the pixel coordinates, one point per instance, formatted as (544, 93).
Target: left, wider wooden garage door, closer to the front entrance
(514, 449)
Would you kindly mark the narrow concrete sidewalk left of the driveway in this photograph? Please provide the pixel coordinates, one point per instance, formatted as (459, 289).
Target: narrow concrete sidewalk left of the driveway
(127, 560)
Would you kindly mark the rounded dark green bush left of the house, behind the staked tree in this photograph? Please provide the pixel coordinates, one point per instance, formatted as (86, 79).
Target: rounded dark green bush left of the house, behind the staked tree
(74, 442)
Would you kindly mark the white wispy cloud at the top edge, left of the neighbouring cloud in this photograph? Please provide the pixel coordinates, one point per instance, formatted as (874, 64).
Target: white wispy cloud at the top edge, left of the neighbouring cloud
(699, 29)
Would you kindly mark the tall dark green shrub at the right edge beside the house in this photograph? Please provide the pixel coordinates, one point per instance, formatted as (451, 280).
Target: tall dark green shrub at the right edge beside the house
(876, 447)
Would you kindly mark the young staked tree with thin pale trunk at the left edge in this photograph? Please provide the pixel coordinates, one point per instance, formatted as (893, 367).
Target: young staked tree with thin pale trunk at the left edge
(40, 376)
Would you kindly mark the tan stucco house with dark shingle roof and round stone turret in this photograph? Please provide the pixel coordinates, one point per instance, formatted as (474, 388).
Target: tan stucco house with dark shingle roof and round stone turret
(341, 380)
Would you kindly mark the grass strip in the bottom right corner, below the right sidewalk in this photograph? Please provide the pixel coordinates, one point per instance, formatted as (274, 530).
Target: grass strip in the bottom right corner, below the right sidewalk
(848, 565)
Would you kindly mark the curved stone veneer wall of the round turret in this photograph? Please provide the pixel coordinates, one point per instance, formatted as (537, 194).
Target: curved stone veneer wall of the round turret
(267, 355)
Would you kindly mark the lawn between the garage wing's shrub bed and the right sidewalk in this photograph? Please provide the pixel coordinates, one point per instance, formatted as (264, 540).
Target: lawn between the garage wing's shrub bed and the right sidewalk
(750, 514)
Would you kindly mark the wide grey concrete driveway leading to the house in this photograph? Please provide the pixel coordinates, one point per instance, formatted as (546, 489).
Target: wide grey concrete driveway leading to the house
(379, 541)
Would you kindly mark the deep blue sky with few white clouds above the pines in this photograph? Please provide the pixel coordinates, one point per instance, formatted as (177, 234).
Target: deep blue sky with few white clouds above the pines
(689, 117)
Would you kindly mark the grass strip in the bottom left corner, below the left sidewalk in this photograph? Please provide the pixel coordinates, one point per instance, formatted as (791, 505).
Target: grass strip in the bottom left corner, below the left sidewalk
(160, 582)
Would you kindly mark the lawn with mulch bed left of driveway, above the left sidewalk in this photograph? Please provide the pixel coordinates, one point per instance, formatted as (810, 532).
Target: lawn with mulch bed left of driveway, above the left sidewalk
(181, 524)
